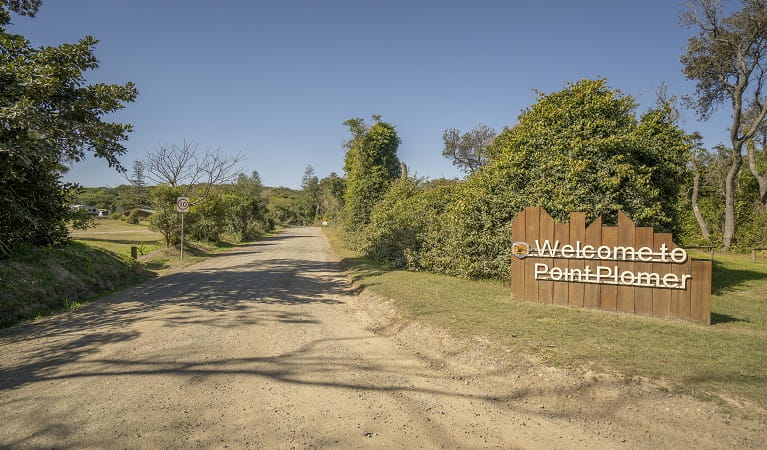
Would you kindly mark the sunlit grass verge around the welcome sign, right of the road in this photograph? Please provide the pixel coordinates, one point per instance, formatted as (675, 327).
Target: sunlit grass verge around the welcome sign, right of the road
(728, 357)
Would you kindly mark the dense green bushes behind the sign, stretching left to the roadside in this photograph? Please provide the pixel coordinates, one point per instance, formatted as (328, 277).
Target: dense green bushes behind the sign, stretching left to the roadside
(579, 149)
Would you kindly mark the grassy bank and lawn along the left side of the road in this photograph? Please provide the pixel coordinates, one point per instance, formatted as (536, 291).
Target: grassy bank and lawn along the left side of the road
(40, 281)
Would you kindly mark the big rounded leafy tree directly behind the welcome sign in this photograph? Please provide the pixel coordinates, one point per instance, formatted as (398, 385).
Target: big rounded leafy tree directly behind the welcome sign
(583, 149)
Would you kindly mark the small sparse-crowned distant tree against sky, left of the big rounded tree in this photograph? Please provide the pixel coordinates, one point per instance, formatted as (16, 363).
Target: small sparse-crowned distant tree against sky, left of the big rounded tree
(468, 151)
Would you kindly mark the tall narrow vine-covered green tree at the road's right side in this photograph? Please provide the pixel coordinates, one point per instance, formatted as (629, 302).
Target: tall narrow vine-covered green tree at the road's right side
(371, 164)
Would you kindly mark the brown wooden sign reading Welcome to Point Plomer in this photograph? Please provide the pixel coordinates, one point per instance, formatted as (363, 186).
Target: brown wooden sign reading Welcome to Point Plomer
(626, 268)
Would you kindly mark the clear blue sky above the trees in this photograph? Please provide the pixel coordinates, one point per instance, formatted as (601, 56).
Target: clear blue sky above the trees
(276, 79)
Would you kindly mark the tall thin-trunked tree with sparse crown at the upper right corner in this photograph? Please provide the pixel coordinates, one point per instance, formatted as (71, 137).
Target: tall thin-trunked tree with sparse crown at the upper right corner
(728, 60)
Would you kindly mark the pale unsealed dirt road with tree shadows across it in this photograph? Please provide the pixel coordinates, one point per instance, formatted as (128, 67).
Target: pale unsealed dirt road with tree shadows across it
(263, 347)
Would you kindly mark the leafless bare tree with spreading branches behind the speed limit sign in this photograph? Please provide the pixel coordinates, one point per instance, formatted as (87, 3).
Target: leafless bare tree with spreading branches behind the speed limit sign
(187, 166)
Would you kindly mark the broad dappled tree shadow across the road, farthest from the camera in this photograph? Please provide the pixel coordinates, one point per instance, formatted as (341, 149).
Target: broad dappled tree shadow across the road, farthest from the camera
(226, 297)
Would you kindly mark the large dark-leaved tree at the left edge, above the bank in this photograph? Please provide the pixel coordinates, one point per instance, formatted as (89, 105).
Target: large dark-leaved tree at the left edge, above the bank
(49, 118)
